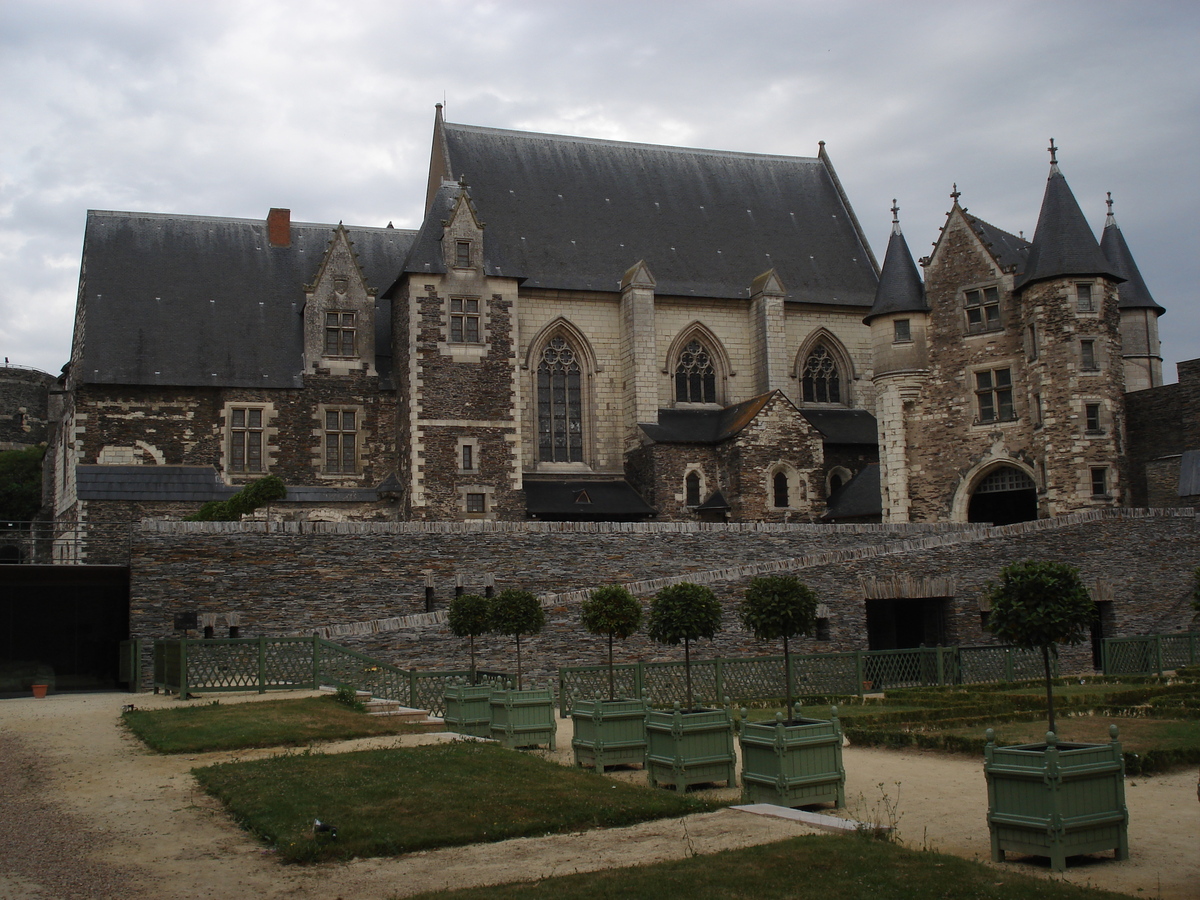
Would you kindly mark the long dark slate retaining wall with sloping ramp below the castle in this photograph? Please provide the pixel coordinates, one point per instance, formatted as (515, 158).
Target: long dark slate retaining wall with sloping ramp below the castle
(363, 585)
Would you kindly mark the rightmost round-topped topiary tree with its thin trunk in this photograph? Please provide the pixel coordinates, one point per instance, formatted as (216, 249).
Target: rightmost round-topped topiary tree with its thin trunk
(1039, 605)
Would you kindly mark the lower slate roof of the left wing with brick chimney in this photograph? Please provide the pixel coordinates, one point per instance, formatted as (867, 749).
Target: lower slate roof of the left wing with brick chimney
(206, 302)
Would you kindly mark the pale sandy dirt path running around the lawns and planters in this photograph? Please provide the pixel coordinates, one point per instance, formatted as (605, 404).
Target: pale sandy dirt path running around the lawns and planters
(105, 818)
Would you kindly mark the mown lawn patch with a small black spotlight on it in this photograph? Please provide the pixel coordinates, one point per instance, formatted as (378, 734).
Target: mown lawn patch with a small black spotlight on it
(392, 802)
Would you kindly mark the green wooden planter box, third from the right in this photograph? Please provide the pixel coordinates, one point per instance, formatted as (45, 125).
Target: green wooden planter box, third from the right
(693, 748)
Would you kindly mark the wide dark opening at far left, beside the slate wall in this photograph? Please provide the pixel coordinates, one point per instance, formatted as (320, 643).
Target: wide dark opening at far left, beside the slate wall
(63, 625)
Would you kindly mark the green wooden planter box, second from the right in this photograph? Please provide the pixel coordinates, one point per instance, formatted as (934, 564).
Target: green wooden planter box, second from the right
(795, 763)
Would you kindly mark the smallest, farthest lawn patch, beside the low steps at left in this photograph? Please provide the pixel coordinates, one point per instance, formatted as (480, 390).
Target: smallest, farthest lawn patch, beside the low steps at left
(269, 723)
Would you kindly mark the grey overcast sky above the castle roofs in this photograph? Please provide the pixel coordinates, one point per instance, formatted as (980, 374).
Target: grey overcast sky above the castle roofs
(327, 109)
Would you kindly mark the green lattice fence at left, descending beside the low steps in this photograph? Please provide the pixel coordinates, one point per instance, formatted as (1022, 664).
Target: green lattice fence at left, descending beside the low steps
(188, 667)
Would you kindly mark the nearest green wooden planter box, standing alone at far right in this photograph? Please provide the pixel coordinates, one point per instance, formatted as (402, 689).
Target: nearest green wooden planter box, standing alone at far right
(1057, 800)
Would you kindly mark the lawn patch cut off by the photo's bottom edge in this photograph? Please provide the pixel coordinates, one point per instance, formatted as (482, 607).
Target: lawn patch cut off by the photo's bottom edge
(847, 867)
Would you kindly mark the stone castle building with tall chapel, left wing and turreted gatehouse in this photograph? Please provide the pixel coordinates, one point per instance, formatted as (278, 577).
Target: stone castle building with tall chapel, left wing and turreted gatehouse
(598, 331)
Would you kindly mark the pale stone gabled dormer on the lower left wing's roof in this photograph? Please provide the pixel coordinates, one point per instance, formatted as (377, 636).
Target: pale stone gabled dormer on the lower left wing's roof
(339, 314)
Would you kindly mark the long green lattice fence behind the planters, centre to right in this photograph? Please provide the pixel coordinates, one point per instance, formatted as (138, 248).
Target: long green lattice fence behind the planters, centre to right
(754, 679)
